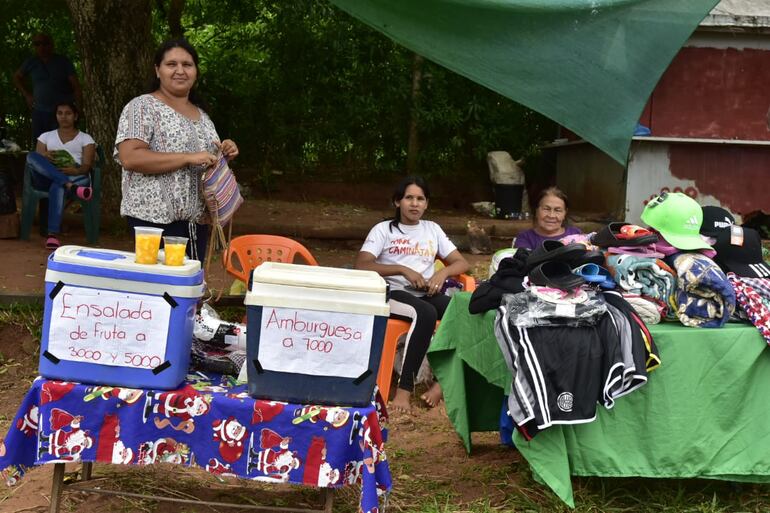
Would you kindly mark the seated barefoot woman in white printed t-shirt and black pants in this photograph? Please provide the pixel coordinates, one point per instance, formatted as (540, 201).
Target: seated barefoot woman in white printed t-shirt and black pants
(403, 251)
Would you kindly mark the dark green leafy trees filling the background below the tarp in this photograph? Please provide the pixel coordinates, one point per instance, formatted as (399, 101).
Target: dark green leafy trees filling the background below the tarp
(306, 89)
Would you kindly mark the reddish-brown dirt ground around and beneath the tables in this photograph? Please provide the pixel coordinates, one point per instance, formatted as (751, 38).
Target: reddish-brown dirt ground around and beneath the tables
(413, 448)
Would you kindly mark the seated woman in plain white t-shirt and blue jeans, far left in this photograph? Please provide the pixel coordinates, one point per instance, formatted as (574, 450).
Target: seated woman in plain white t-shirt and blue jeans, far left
(72, 178)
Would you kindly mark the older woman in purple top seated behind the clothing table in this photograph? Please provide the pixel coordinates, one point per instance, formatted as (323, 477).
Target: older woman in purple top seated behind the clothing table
(549, 220)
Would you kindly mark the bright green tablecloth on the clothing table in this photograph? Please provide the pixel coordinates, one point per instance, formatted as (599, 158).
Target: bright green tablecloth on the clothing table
(703, 413)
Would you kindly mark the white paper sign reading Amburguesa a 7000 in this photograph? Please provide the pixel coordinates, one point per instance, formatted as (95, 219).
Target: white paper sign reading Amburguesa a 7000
(315, 343)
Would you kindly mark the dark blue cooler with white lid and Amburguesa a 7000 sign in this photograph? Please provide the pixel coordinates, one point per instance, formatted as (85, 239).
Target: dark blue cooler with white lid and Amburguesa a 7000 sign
(315, 334)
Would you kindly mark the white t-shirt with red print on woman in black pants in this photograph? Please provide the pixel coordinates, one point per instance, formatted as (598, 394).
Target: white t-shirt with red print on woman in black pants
(414, 246)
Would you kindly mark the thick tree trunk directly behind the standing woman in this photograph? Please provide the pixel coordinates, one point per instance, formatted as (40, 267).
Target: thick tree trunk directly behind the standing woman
(116, 49)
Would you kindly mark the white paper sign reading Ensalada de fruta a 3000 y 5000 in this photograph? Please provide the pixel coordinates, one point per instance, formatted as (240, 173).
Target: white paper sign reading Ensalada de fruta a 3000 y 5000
(108, 328)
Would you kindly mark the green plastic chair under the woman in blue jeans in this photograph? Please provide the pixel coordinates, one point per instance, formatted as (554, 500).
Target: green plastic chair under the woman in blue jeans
(91, 209)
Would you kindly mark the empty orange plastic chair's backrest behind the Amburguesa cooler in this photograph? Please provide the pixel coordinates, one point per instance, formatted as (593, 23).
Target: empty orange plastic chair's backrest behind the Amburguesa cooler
(249, 251)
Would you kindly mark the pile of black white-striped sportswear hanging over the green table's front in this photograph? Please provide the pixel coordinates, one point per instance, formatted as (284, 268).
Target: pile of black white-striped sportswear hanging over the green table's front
(568, 343)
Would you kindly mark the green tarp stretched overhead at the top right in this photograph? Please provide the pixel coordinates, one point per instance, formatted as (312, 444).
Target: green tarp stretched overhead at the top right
(589, 65)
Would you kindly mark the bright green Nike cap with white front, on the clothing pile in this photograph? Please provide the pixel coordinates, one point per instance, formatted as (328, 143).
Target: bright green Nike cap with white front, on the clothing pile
(678, 218)
